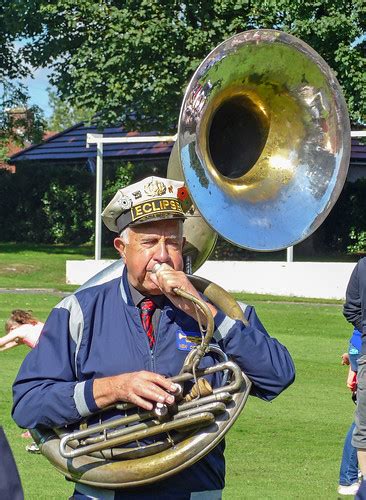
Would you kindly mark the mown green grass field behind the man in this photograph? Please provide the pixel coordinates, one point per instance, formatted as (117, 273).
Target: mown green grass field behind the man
(287, 449)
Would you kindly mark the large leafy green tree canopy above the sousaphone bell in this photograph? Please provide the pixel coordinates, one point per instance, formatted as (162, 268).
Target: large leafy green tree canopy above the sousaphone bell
(134, 58)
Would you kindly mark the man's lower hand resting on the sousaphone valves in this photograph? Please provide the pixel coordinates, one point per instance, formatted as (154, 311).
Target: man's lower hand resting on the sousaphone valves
(143, 389)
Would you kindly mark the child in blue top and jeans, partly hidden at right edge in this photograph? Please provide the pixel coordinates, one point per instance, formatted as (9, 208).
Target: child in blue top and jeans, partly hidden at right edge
(348, 476)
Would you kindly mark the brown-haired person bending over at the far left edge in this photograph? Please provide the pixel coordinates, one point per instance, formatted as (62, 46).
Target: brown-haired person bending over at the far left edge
(21, 328)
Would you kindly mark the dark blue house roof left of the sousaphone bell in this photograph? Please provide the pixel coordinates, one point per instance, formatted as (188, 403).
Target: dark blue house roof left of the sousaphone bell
(69, 146)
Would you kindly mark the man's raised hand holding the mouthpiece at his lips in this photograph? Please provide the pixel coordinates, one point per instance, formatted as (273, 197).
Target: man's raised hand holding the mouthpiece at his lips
(167, 279)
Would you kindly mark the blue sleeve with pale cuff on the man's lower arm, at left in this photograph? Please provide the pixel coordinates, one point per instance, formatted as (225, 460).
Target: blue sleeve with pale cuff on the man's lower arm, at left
(46, 391)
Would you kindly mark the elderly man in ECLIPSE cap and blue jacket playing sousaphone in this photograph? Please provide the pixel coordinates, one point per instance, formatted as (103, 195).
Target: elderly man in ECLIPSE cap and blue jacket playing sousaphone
(99, 347)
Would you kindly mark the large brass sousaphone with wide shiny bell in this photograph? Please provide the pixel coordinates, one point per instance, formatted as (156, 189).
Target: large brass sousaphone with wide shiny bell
(263, 146)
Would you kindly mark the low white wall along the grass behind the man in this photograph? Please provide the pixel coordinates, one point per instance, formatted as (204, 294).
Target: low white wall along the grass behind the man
(301, 279)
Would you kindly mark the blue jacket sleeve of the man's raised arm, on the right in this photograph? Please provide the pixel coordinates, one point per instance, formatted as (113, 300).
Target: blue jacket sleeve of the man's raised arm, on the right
(262, 358)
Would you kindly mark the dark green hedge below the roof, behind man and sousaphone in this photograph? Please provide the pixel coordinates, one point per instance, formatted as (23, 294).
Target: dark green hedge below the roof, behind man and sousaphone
(56, 204)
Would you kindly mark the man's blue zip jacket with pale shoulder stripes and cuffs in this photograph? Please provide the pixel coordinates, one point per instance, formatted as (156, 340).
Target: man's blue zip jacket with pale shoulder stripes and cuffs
(97, 332)
